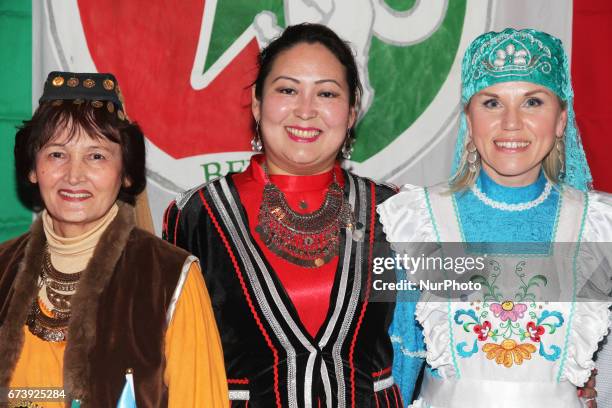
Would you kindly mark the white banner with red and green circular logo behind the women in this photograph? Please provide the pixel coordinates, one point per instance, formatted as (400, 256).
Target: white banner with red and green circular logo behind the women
(185, 69)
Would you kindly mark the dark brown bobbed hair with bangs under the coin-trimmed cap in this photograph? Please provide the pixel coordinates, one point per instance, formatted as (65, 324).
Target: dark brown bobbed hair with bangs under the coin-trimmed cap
(97, 122)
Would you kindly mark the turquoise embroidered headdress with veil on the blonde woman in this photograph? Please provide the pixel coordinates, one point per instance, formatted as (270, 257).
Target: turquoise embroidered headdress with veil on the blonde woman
(531, 56)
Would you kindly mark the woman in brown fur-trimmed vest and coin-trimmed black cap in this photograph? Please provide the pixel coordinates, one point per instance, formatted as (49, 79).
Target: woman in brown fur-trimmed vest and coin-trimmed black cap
(89, 302)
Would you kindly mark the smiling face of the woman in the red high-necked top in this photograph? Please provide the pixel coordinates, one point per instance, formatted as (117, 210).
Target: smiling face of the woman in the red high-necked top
(304, 113)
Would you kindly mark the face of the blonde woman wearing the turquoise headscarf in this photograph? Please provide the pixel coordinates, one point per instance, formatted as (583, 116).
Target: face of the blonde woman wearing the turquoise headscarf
(514, 126)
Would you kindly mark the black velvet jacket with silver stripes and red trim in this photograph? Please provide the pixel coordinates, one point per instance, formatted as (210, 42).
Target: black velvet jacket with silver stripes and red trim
(270, 358)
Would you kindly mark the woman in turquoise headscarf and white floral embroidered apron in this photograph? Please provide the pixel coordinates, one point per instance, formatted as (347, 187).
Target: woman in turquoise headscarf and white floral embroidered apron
(528, 336)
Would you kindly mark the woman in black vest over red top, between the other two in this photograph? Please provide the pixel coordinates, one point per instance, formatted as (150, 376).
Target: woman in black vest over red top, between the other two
(287, 245)
